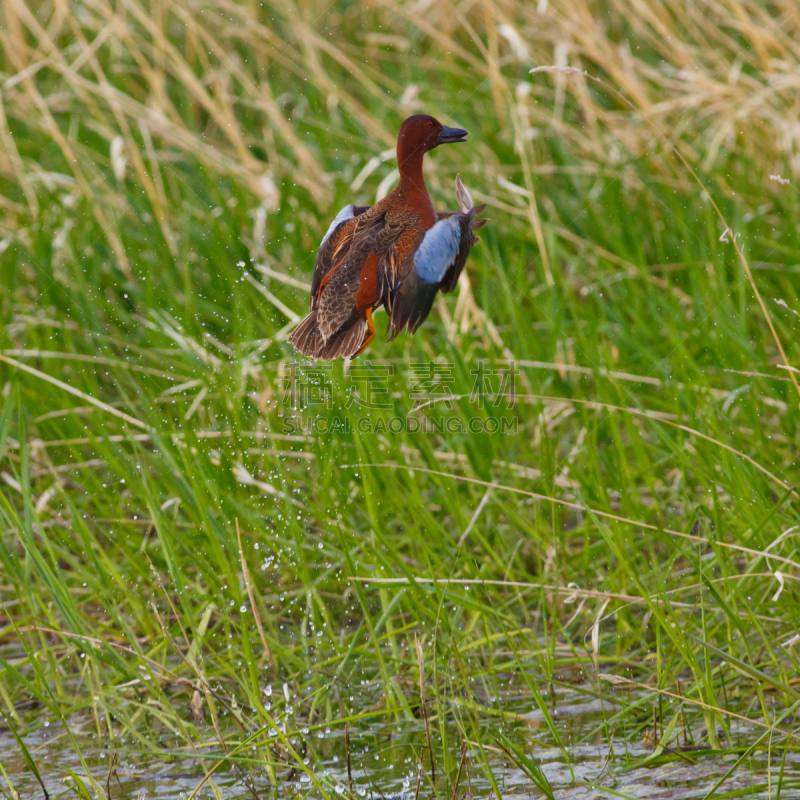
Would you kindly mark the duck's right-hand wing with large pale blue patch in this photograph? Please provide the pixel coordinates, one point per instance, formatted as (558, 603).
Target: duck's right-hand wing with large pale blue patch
(436, 264)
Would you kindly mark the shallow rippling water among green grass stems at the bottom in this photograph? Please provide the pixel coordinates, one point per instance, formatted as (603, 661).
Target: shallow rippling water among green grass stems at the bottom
(385, 762)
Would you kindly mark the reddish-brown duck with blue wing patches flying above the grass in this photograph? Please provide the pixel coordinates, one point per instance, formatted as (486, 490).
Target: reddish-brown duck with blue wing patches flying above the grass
(398, 254)
